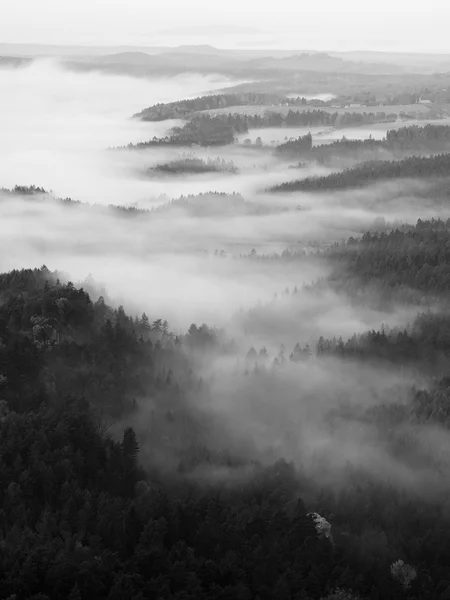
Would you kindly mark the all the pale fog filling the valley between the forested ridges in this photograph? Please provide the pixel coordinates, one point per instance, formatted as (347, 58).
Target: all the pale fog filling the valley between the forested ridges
(58, 127)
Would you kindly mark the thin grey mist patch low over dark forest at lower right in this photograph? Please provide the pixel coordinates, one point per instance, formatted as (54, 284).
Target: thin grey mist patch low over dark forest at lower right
(286, 414)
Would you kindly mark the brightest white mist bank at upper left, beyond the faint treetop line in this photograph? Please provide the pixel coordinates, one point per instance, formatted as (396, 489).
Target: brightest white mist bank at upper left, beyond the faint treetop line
(57, 125)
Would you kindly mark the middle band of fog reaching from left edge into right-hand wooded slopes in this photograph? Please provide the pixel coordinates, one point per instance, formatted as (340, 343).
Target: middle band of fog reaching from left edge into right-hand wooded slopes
(163, 263)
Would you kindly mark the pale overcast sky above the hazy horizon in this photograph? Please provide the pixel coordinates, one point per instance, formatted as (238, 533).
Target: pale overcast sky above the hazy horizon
(327, 24)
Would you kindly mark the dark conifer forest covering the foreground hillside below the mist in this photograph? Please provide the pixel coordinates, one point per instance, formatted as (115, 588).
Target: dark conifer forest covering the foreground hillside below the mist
(82, 517)
